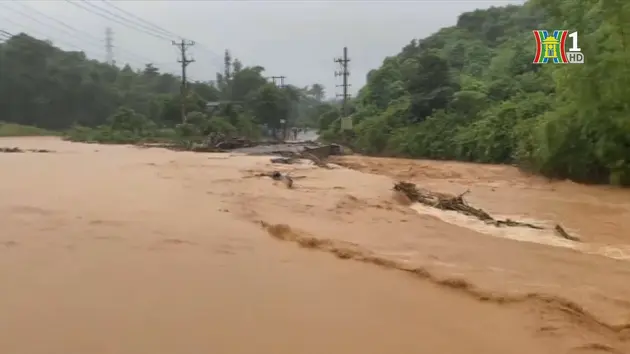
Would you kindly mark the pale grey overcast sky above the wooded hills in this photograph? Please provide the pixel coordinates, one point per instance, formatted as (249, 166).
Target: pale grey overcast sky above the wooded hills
(297, 39)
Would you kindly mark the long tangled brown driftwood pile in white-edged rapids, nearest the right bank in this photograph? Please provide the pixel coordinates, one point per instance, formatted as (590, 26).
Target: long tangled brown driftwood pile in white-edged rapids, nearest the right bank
(458, 204)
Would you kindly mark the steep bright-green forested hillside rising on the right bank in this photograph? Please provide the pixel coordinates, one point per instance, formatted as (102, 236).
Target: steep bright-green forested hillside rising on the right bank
(470, 92)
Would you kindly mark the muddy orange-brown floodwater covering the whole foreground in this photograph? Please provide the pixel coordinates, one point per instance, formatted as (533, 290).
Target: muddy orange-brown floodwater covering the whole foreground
(125, 250)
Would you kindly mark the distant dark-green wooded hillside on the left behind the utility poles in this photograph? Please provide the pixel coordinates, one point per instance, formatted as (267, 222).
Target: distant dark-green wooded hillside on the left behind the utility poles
(43, 86)
